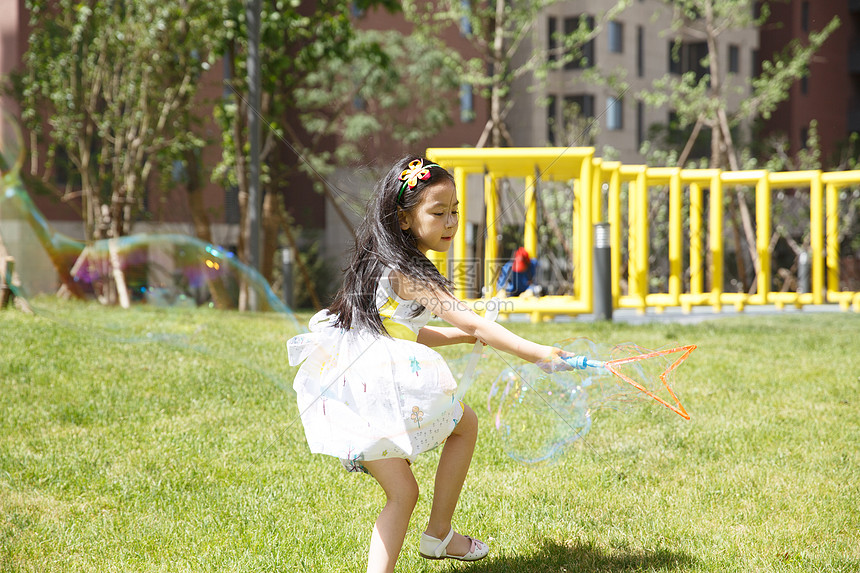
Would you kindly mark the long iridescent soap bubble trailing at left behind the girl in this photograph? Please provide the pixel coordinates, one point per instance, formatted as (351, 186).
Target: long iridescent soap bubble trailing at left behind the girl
(158, 269)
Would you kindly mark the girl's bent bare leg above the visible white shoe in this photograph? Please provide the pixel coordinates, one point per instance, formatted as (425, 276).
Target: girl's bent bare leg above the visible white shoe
(450, 475)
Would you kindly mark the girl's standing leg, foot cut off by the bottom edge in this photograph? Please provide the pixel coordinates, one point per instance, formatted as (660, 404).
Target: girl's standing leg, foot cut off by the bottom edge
(389, 531)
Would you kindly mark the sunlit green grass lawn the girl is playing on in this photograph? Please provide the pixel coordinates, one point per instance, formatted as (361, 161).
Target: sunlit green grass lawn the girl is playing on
(149, 440)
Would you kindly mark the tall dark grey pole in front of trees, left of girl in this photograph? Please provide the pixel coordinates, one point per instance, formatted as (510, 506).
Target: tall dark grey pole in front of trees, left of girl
(252, 15)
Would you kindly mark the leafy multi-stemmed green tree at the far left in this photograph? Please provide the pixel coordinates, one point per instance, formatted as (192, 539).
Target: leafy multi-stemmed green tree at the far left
(105, 86)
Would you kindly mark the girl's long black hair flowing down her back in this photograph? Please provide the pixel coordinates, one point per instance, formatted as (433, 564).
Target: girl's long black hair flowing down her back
(381, 243)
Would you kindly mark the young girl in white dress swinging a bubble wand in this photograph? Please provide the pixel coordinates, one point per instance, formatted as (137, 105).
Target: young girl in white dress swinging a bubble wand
(371, 391)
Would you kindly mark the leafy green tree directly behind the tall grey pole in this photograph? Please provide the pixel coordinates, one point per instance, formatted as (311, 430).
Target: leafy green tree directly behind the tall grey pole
(327, 88)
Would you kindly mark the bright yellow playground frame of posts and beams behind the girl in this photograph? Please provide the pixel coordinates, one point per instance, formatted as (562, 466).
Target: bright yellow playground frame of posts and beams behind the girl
(598, 187)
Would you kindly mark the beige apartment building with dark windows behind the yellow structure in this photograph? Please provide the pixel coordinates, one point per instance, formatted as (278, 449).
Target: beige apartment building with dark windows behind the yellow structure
(637, 47)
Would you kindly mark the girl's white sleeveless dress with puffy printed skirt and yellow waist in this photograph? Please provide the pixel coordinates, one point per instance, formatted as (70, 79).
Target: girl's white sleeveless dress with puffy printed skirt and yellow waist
(363, 396)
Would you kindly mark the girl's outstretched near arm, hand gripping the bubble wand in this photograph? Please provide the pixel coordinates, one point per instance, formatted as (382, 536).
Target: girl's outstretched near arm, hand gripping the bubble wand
(456, 313)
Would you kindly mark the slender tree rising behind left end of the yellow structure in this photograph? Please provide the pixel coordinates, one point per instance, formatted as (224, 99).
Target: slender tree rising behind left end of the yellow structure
(499, 32)
